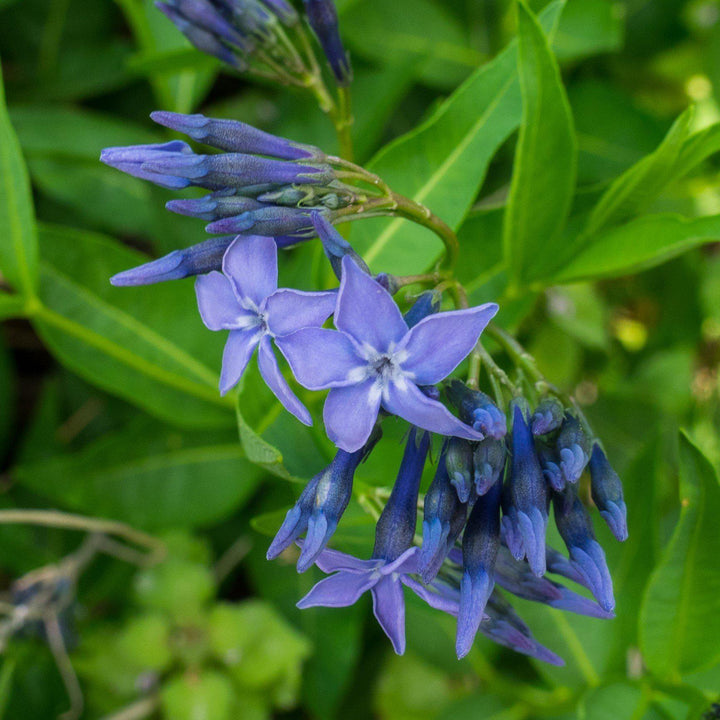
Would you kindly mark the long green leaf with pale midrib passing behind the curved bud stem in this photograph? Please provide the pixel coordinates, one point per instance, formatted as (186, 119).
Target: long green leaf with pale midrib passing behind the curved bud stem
(442, 163)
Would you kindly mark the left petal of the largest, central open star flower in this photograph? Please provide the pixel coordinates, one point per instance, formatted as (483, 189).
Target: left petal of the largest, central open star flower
(320, 358)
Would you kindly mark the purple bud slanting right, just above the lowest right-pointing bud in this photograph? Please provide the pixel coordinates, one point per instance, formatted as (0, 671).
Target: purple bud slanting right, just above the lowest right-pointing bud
(517, 578)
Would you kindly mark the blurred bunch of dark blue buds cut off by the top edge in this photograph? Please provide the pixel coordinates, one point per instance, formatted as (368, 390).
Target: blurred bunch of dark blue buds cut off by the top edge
(263, 37)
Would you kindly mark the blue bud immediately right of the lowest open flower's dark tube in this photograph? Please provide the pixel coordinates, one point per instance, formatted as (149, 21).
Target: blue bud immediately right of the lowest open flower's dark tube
(443, 520)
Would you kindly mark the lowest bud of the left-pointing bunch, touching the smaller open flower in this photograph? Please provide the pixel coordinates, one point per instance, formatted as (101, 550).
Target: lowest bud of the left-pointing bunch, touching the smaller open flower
(195, 260)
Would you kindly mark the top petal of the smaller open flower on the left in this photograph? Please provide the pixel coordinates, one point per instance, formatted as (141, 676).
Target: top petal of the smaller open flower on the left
(251, 264)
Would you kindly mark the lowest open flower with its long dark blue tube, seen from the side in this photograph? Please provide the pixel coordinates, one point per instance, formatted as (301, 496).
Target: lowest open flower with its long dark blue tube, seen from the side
(393, 555)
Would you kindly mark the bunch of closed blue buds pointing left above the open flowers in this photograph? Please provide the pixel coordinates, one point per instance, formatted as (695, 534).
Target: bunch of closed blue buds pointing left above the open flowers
(260, 184)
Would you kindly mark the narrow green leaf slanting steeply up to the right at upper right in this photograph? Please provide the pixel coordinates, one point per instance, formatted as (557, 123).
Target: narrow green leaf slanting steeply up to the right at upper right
(642, 182)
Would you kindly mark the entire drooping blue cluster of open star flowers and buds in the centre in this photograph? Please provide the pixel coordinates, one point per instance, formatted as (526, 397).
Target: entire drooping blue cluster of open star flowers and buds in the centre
(486, 512)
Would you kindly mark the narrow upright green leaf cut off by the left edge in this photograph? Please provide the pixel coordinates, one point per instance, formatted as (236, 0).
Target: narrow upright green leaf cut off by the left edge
(18, 234)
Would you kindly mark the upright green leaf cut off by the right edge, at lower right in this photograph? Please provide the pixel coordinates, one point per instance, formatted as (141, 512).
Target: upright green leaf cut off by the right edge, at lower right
(680, 617)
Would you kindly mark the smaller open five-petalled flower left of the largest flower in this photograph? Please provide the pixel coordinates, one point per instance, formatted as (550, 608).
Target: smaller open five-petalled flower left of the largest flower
(246, 301)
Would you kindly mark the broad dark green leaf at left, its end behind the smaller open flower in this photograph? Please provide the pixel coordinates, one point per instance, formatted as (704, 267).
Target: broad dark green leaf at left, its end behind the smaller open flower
(144, 344)
